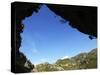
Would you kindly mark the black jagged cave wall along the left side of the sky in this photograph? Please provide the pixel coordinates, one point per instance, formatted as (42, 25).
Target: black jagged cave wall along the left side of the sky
(19, 12)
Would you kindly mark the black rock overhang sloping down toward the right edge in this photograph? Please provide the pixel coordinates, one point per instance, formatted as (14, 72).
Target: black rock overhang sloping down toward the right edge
(83, 18)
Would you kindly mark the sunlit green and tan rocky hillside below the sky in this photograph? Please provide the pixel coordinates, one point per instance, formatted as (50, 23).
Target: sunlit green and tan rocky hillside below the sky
(80, 61)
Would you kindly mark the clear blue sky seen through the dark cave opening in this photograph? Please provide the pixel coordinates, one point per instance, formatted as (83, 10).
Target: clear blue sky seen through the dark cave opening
(45, 38)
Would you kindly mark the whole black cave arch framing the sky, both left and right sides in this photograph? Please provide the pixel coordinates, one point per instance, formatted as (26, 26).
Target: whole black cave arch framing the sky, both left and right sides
(82, 18)
